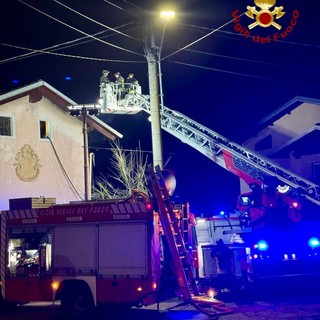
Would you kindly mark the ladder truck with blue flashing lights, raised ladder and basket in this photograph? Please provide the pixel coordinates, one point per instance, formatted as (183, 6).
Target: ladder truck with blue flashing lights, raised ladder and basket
(275, 226)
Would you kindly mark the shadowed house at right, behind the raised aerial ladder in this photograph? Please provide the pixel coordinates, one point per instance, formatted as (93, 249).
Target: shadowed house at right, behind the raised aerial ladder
(290, 137)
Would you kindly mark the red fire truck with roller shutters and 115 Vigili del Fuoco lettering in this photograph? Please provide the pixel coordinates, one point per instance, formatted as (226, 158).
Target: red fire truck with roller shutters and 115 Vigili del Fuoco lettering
(84, 254)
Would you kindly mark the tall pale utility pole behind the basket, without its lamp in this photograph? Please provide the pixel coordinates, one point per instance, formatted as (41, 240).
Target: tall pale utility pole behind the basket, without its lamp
(152, 56)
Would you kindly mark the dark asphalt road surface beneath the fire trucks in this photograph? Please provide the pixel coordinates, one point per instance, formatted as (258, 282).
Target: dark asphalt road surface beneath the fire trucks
(296, 308)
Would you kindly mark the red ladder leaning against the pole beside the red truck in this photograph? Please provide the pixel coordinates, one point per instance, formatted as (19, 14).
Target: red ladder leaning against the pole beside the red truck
(182, 265)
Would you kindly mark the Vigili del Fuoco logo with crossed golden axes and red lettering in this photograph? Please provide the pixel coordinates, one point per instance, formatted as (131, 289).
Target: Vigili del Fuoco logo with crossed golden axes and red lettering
(265, 14)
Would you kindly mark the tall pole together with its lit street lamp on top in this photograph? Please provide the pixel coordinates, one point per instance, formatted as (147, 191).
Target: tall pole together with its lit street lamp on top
(153, 54)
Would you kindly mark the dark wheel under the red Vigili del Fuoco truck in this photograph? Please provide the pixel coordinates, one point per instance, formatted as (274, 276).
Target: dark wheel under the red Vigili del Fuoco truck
(76, 302)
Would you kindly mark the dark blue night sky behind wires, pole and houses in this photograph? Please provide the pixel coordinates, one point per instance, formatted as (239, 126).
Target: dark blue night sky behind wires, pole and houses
(226, 81)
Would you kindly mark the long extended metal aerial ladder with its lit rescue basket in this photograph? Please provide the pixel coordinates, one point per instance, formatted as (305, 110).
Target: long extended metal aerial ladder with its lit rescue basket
(249, 166)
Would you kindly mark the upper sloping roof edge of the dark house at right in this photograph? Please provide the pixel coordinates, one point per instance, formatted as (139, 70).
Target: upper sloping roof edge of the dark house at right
(277, 114)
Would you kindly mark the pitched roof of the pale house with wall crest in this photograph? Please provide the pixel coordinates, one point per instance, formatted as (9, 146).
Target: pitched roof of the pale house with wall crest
(40, 88)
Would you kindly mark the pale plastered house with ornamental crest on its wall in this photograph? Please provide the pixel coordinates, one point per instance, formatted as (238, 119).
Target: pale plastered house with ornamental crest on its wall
(41, 145)
